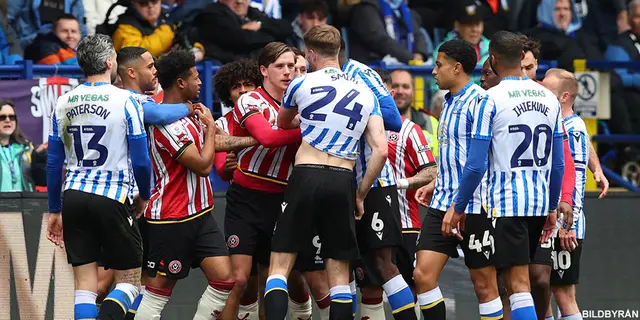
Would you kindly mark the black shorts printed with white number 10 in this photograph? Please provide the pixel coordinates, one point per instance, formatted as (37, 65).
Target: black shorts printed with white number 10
(566, 265)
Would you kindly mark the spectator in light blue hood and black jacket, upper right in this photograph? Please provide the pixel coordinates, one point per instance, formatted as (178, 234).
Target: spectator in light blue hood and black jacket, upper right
(561, 36)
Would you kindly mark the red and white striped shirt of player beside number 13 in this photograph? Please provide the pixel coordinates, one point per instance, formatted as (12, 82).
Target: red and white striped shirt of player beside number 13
(178, 193)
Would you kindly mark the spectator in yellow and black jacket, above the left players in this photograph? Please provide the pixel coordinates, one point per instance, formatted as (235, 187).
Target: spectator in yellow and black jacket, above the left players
(141, 26)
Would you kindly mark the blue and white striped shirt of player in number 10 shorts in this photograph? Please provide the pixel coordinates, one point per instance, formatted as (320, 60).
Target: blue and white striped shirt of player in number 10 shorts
(579, 145)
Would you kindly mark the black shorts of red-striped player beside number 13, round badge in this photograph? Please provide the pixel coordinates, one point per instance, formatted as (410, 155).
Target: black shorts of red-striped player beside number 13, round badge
(172, 249)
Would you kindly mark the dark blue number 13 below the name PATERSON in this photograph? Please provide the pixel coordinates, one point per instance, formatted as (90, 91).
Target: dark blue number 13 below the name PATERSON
(94, 144)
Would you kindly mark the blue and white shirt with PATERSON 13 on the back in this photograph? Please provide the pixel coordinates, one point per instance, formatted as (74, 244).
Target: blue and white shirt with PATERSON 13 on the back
(95, 122)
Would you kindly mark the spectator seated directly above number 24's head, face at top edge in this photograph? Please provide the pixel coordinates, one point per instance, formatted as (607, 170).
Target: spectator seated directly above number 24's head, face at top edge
(312, 13)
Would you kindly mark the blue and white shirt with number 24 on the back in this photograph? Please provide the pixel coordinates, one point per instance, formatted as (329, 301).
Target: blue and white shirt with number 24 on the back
(334, 110)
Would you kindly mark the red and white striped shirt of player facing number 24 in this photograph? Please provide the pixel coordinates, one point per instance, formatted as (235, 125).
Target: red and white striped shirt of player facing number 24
(259, 167)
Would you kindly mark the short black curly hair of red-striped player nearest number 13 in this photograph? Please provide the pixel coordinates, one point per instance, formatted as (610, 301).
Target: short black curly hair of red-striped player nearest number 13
(176, 64)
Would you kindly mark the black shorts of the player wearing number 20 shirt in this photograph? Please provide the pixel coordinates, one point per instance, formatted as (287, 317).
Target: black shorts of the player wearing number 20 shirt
(517, 240)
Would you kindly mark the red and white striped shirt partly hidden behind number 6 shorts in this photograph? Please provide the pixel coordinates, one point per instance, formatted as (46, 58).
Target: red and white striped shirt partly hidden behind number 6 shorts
(409, 152)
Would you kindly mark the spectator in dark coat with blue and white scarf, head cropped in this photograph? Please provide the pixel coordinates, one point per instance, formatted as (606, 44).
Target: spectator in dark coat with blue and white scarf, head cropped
(386, 30)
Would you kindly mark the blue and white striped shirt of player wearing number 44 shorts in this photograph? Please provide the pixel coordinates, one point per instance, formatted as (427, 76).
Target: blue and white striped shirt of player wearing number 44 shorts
(454, 139)
